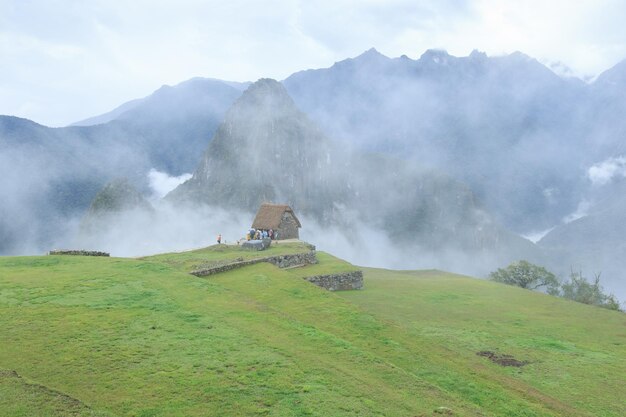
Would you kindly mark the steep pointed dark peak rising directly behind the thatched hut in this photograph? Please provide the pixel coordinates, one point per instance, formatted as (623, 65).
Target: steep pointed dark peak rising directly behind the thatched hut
(265, 150)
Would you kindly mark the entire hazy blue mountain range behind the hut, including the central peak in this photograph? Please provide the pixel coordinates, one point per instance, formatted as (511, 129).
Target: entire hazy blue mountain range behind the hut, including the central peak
(436, 151)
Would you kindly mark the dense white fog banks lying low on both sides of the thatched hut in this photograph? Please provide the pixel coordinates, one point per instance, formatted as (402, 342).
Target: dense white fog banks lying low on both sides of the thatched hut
(171, 228)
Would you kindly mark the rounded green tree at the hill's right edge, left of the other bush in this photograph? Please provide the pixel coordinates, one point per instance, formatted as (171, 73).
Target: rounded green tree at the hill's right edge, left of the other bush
(526, 275)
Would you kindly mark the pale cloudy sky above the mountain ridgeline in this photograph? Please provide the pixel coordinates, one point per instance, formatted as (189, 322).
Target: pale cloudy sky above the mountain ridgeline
(65, 60)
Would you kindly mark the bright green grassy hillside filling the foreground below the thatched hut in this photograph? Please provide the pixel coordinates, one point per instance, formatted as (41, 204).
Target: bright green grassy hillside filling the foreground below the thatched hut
(141, 337)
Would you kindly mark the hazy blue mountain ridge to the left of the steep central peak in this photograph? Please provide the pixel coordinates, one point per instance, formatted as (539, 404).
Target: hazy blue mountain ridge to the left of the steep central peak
(51, 175)
